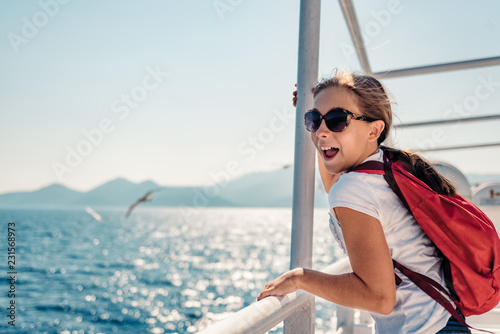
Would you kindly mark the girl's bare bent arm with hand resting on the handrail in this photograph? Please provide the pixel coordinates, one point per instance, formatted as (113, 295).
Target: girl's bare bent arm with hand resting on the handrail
(371, 286)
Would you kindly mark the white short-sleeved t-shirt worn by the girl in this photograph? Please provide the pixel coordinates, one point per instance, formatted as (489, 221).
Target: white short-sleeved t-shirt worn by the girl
(415, 311)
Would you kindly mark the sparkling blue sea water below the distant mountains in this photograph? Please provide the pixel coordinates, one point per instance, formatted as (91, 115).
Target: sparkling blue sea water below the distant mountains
(162, 270)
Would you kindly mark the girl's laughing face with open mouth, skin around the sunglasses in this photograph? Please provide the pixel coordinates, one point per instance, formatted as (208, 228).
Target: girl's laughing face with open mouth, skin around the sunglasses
(354, 144)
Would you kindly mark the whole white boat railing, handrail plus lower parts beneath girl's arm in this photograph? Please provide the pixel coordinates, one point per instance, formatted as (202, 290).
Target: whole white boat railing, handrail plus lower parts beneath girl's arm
(262, 316)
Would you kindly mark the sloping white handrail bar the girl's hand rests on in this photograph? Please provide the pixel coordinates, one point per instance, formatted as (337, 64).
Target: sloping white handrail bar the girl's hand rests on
(265, 314)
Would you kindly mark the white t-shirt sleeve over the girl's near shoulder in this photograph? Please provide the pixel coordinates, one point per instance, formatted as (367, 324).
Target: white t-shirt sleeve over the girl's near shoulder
(353, 192)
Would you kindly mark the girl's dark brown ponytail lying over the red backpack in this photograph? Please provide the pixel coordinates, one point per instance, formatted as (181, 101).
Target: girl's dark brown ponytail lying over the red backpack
(423, 170)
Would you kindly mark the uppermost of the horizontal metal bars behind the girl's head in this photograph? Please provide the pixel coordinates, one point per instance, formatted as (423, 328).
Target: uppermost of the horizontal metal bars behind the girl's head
(459, 65)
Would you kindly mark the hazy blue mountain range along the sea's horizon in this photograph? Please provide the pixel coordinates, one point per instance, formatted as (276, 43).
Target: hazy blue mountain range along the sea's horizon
(264, 189)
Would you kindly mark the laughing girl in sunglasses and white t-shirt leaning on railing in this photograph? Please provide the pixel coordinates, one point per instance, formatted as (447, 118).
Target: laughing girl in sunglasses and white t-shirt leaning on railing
(351, 117)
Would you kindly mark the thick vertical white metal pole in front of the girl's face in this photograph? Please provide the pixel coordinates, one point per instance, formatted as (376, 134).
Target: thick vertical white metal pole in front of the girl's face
(303, 179)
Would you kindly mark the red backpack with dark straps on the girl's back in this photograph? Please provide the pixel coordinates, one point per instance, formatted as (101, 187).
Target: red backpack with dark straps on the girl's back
(465, 237)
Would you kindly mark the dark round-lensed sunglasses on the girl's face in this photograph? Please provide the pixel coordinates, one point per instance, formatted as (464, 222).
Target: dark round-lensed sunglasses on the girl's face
(336, 120)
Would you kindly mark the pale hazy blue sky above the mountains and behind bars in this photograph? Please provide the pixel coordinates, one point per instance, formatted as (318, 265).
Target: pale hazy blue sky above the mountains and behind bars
(194, 92)
